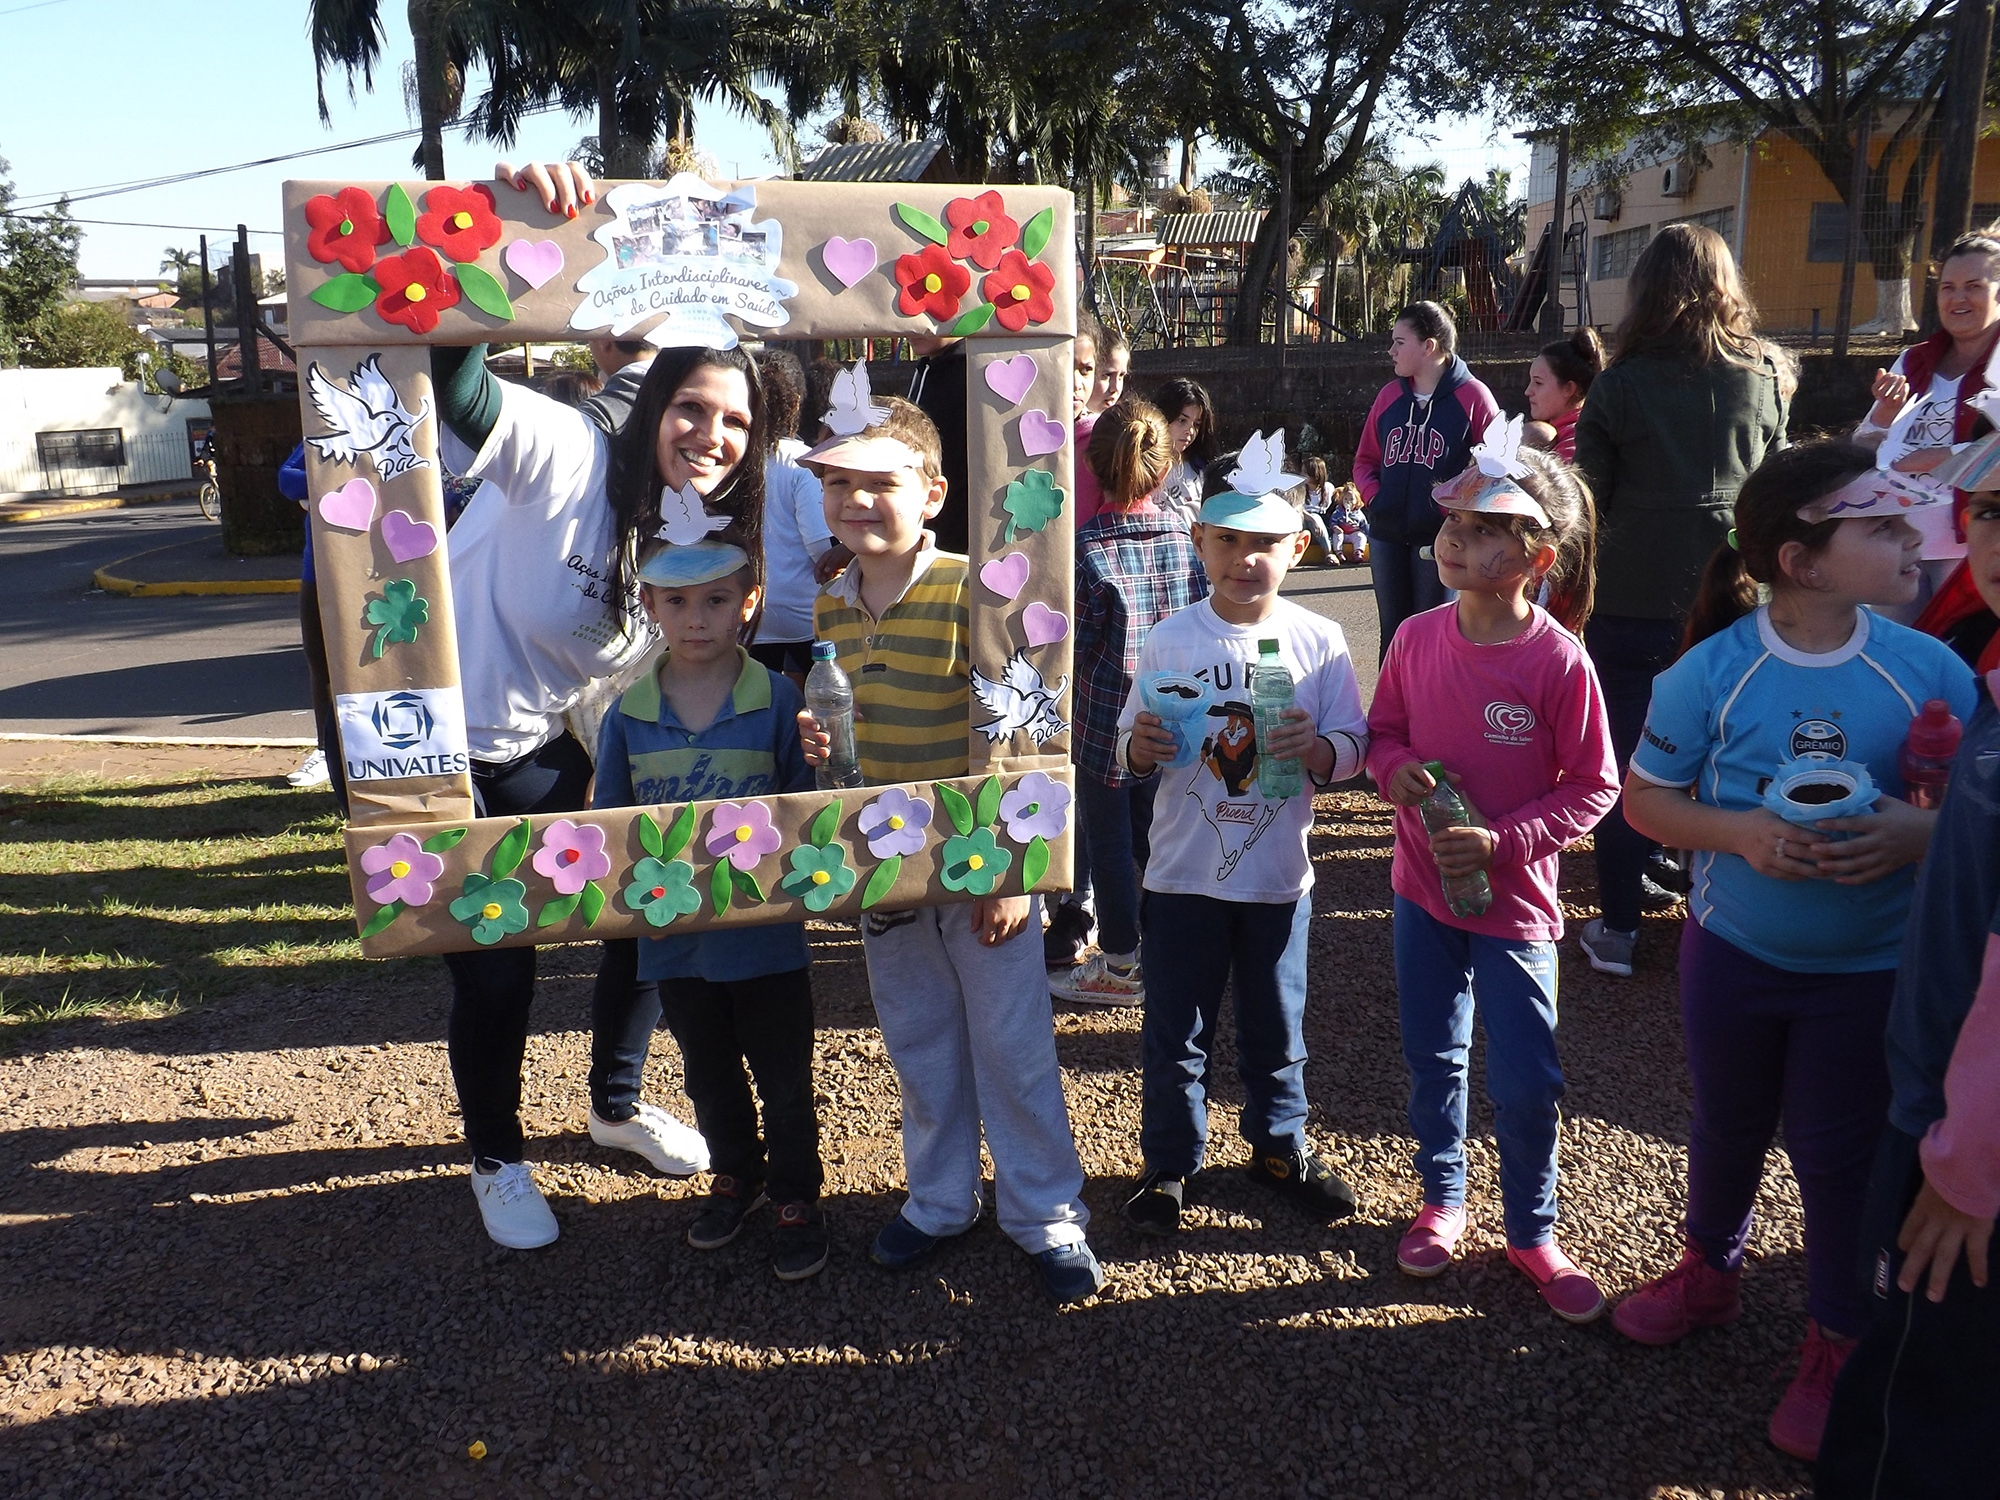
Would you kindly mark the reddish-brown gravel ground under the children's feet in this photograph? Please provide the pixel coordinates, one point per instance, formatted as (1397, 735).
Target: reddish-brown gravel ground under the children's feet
(239, 1259)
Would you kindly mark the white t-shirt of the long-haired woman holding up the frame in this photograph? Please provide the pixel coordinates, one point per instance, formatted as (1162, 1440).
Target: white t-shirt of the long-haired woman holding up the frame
(529, 575)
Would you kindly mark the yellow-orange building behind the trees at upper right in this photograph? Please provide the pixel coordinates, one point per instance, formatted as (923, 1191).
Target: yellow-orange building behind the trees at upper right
(1773, 205)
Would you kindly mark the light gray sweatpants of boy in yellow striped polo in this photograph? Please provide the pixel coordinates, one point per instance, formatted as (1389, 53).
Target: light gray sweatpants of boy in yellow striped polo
(973, 1037)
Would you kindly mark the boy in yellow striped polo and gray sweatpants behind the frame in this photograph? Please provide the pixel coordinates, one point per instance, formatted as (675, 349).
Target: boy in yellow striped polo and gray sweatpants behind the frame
(961, 991)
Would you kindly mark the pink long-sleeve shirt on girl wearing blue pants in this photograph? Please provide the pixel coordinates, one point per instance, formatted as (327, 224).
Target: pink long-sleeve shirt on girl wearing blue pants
(1523, 725)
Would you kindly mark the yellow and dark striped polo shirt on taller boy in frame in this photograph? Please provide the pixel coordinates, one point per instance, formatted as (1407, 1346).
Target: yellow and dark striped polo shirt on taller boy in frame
(911, 671)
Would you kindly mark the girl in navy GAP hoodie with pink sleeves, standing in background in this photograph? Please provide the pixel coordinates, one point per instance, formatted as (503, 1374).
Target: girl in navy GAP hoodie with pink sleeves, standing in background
(1419, 433)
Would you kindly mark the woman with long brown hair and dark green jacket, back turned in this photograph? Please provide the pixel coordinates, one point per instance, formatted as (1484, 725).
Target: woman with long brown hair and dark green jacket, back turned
(1687, 409)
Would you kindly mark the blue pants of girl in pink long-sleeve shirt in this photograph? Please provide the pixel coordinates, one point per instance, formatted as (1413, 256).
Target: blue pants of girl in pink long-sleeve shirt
(1439, 973)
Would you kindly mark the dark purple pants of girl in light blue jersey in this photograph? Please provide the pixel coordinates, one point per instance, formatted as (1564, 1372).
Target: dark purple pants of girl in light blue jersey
(1765, 1045)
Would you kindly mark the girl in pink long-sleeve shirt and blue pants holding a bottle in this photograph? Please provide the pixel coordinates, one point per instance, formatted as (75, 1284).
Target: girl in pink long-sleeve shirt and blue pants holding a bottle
(1503, 695)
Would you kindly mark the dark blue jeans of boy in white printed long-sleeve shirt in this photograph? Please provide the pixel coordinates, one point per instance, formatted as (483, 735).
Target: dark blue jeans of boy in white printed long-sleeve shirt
(1195, 945)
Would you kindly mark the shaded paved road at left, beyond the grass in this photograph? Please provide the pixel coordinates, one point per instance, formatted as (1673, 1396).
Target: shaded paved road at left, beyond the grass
(77, 661)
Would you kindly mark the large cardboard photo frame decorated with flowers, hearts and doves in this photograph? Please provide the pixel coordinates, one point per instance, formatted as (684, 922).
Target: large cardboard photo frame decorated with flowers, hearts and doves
(379, 271)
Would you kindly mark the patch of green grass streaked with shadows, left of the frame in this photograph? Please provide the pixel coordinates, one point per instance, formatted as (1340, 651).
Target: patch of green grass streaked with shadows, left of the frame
(125, 899)
